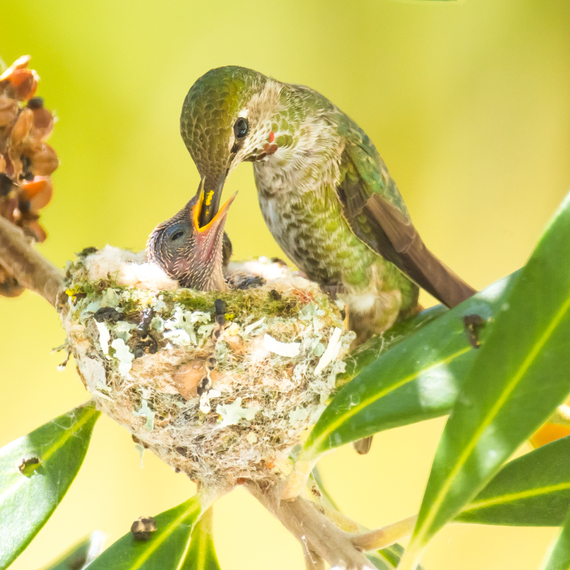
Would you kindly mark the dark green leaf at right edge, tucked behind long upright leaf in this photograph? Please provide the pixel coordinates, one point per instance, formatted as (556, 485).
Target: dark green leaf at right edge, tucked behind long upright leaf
(532, 490)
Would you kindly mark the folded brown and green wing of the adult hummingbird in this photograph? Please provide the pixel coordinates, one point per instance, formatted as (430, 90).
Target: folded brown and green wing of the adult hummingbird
(375, 211)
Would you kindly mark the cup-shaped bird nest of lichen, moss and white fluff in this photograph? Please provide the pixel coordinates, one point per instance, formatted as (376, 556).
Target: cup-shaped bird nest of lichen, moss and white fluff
(219, 385)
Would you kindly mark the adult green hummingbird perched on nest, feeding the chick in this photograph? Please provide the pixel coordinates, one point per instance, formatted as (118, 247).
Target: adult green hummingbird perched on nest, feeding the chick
(324, 192)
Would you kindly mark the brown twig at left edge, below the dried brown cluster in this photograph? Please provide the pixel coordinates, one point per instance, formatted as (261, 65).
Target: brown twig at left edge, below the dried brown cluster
(29, 267)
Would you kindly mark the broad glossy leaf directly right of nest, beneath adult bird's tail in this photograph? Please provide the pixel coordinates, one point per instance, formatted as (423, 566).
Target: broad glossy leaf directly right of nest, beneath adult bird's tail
(416, 380)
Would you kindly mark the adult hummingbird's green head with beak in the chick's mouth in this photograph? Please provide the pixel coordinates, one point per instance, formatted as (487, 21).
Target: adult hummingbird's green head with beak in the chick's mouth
(227, 118)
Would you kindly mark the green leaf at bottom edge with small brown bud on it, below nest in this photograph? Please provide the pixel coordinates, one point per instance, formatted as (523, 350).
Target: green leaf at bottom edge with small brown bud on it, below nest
(168, 546)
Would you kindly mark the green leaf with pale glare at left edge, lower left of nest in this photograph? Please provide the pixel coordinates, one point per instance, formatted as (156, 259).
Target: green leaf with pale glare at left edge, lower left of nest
(35, 472)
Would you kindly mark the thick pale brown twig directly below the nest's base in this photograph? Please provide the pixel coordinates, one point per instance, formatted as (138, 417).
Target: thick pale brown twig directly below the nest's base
(312, 529)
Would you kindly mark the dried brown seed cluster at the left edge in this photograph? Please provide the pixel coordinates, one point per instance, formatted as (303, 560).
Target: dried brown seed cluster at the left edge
(26, 161)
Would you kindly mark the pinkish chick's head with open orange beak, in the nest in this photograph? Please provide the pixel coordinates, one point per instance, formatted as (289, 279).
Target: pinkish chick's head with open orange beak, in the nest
(193, 254)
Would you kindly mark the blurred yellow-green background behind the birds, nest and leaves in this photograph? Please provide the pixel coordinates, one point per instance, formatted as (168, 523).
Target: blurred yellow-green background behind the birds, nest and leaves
(469, 105)
